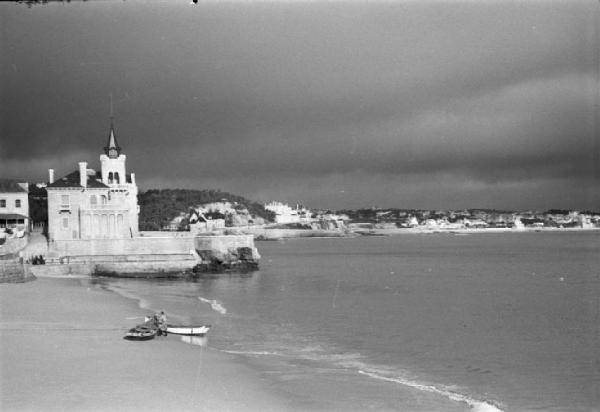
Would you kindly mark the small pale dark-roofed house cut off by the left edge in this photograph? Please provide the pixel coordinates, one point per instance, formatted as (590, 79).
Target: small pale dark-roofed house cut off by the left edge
(14, 205)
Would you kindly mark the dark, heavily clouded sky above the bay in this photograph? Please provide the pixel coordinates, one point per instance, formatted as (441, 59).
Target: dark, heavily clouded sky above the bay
(331, 104)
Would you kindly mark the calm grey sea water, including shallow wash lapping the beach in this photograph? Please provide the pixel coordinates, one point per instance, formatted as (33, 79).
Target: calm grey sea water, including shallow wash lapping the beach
(439, 322)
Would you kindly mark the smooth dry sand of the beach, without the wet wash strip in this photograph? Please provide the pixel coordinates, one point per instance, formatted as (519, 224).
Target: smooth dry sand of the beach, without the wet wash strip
(62, 349)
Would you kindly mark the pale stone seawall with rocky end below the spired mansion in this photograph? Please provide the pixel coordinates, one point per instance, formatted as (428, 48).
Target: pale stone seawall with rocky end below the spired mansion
(151, 254)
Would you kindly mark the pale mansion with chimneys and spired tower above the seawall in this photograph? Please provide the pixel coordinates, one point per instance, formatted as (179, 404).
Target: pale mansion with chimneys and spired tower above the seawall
(86, 204)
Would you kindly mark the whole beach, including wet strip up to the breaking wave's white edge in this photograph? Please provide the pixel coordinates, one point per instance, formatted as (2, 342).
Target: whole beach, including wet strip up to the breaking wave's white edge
(56, 359)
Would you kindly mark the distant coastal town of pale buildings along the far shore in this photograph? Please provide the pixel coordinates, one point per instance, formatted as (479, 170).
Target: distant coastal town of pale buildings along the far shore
(226, 214)
